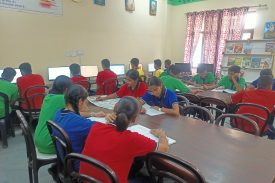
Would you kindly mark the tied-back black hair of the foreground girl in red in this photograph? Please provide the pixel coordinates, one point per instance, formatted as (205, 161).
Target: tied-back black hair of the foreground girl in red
(126, 109)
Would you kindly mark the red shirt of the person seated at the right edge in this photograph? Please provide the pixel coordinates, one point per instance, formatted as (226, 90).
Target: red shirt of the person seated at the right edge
(262, 97)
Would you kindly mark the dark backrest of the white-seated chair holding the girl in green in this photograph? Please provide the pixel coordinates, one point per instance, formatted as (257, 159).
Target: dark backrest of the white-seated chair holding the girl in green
(27, 132)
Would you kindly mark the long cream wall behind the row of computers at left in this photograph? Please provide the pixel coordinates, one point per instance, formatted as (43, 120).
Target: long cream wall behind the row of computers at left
(100, 32)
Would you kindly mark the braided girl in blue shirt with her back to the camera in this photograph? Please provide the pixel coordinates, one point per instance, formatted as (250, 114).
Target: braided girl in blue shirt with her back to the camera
(76, 126)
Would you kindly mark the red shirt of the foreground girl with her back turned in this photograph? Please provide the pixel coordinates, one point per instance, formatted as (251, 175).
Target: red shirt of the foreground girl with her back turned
(115, 149)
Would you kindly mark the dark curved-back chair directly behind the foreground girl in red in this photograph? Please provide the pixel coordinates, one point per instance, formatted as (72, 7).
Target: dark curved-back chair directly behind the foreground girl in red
(73, 176)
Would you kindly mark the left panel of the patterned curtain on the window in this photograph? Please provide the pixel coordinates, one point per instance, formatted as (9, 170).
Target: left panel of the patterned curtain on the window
(194, 27)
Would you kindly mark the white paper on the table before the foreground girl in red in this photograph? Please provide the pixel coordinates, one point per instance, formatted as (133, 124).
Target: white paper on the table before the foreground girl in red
(146, 132)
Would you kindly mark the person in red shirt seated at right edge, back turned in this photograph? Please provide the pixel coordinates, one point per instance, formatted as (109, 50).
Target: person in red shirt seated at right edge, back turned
(263, 95)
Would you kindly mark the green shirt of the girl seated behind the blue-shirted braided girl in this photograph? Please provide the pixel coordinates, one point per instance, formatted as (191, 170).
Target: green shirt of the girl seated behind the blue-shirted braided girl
(42, 138)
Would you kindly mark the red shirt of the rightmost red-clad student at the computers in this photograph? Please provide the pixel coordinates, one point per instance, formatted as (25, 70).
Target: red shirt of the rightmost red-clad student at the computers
(103, 76)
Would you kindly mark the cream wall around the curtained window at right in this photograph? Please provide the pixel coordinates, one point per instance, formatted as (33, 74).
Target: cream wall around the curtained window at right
(177, 29)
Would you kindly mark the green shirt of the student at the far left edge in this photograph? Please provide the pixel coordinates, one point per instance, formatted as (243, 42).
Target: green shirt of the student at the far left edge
(11, 91)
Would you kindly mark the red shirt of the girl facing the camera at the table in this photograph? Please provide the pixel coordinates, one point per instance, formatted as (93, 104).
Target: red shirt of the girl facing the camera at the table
(126, 90)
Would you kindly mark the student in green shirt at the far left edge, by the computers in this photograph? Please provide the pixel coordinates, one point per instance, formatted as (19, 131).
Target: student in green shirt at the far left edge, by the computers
(7, 88)
